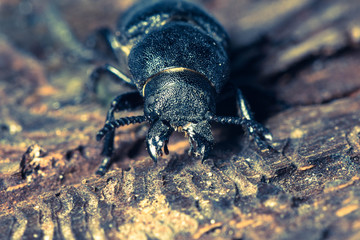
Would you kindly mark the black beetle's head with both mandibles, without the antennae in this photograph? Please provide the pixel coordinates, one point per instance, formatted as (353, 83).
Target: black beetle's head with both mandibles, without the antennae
(179, 101)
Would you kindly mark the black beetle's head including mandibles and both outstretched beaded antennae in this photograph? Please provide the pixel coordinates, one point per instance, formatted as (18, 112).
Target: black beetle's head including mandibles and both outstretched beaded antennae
(183, 101)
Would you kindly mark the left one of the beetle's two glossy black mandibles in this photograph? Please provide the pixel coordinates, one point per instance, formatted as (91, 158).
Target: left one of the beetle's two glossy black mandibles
(157, 138)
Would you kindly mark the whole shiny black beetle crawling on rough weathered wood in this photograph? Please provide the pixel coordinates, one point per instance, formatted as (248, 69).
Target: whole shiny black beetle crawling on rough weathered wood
(176, 56)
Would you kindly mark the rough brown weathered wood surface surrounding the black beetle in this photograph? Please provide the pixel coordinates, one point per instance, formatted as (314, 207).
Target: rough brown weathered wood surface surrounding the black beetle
(298, 62)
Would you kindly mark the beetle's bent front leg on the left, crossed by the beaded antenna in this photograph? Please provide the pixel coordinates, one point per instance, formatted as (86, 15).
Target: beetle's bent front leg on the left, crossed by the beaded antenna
(122, 102)
